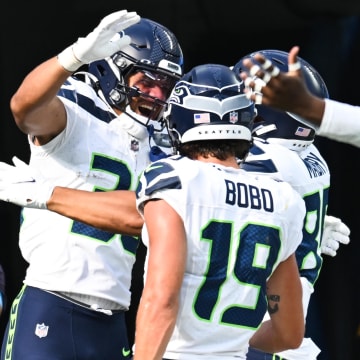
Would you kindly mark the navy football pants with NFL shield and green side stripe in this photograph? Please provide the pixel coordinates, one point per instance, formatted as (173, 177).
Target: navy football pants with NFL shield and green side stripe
(43, 326)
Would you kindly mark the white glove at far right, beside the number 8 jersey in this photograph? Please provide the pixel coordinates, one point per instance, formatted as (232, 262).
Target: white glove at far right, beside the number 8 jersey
(335, 233)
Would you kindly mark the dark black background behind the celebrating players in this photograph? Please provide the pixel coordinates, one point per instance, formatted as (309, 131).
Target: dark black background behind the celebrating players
(328, 34)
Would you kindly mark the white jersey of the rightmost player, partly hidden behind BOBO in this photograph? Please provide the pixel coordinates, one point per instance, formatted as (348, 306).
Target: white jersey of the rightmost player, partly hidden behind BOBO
(308, 173)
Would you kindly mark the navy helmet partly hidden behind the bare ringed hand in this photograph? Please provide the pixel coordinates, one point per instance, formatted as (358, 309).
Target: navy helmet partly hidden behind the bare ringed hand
(282, 127)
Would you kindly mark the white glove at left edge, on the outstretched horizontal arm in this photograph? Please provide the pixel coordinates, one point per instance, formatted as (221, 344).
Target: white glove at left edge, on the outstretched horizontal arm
(23, 185)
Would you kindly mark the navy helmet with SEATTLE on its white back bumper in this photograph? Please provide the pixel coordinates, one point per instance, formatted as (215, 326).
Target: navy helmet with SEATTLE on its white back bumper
(209, 103)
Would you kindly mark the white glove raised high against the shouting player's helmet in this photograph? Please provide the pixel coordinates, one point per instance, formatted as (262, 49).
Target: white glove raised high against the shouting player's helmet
(102, 42)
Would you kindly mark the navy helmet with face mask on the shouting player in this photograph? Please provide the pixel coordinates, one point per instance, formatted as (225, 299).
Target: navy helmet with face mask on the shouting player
(154, 50)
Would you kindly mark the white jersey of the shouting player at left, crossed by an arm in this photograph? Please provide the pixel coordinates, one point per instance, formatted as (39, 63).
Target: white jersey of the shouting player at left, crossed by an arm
(94, 155)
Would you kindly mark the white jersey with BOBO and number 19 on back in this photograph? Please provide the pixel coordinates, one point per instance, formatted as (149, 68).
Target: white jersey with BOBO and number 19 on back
(239, 227)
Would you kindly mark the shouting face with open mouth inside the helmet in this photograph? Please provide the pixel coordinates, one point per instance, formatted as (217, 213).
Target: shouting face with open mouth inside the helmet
(153, 91)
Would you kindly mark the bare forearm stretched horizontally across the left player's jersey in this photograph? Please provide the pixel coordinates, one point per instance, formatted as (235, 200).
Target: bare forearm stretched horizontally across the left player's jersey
(113, 211)
